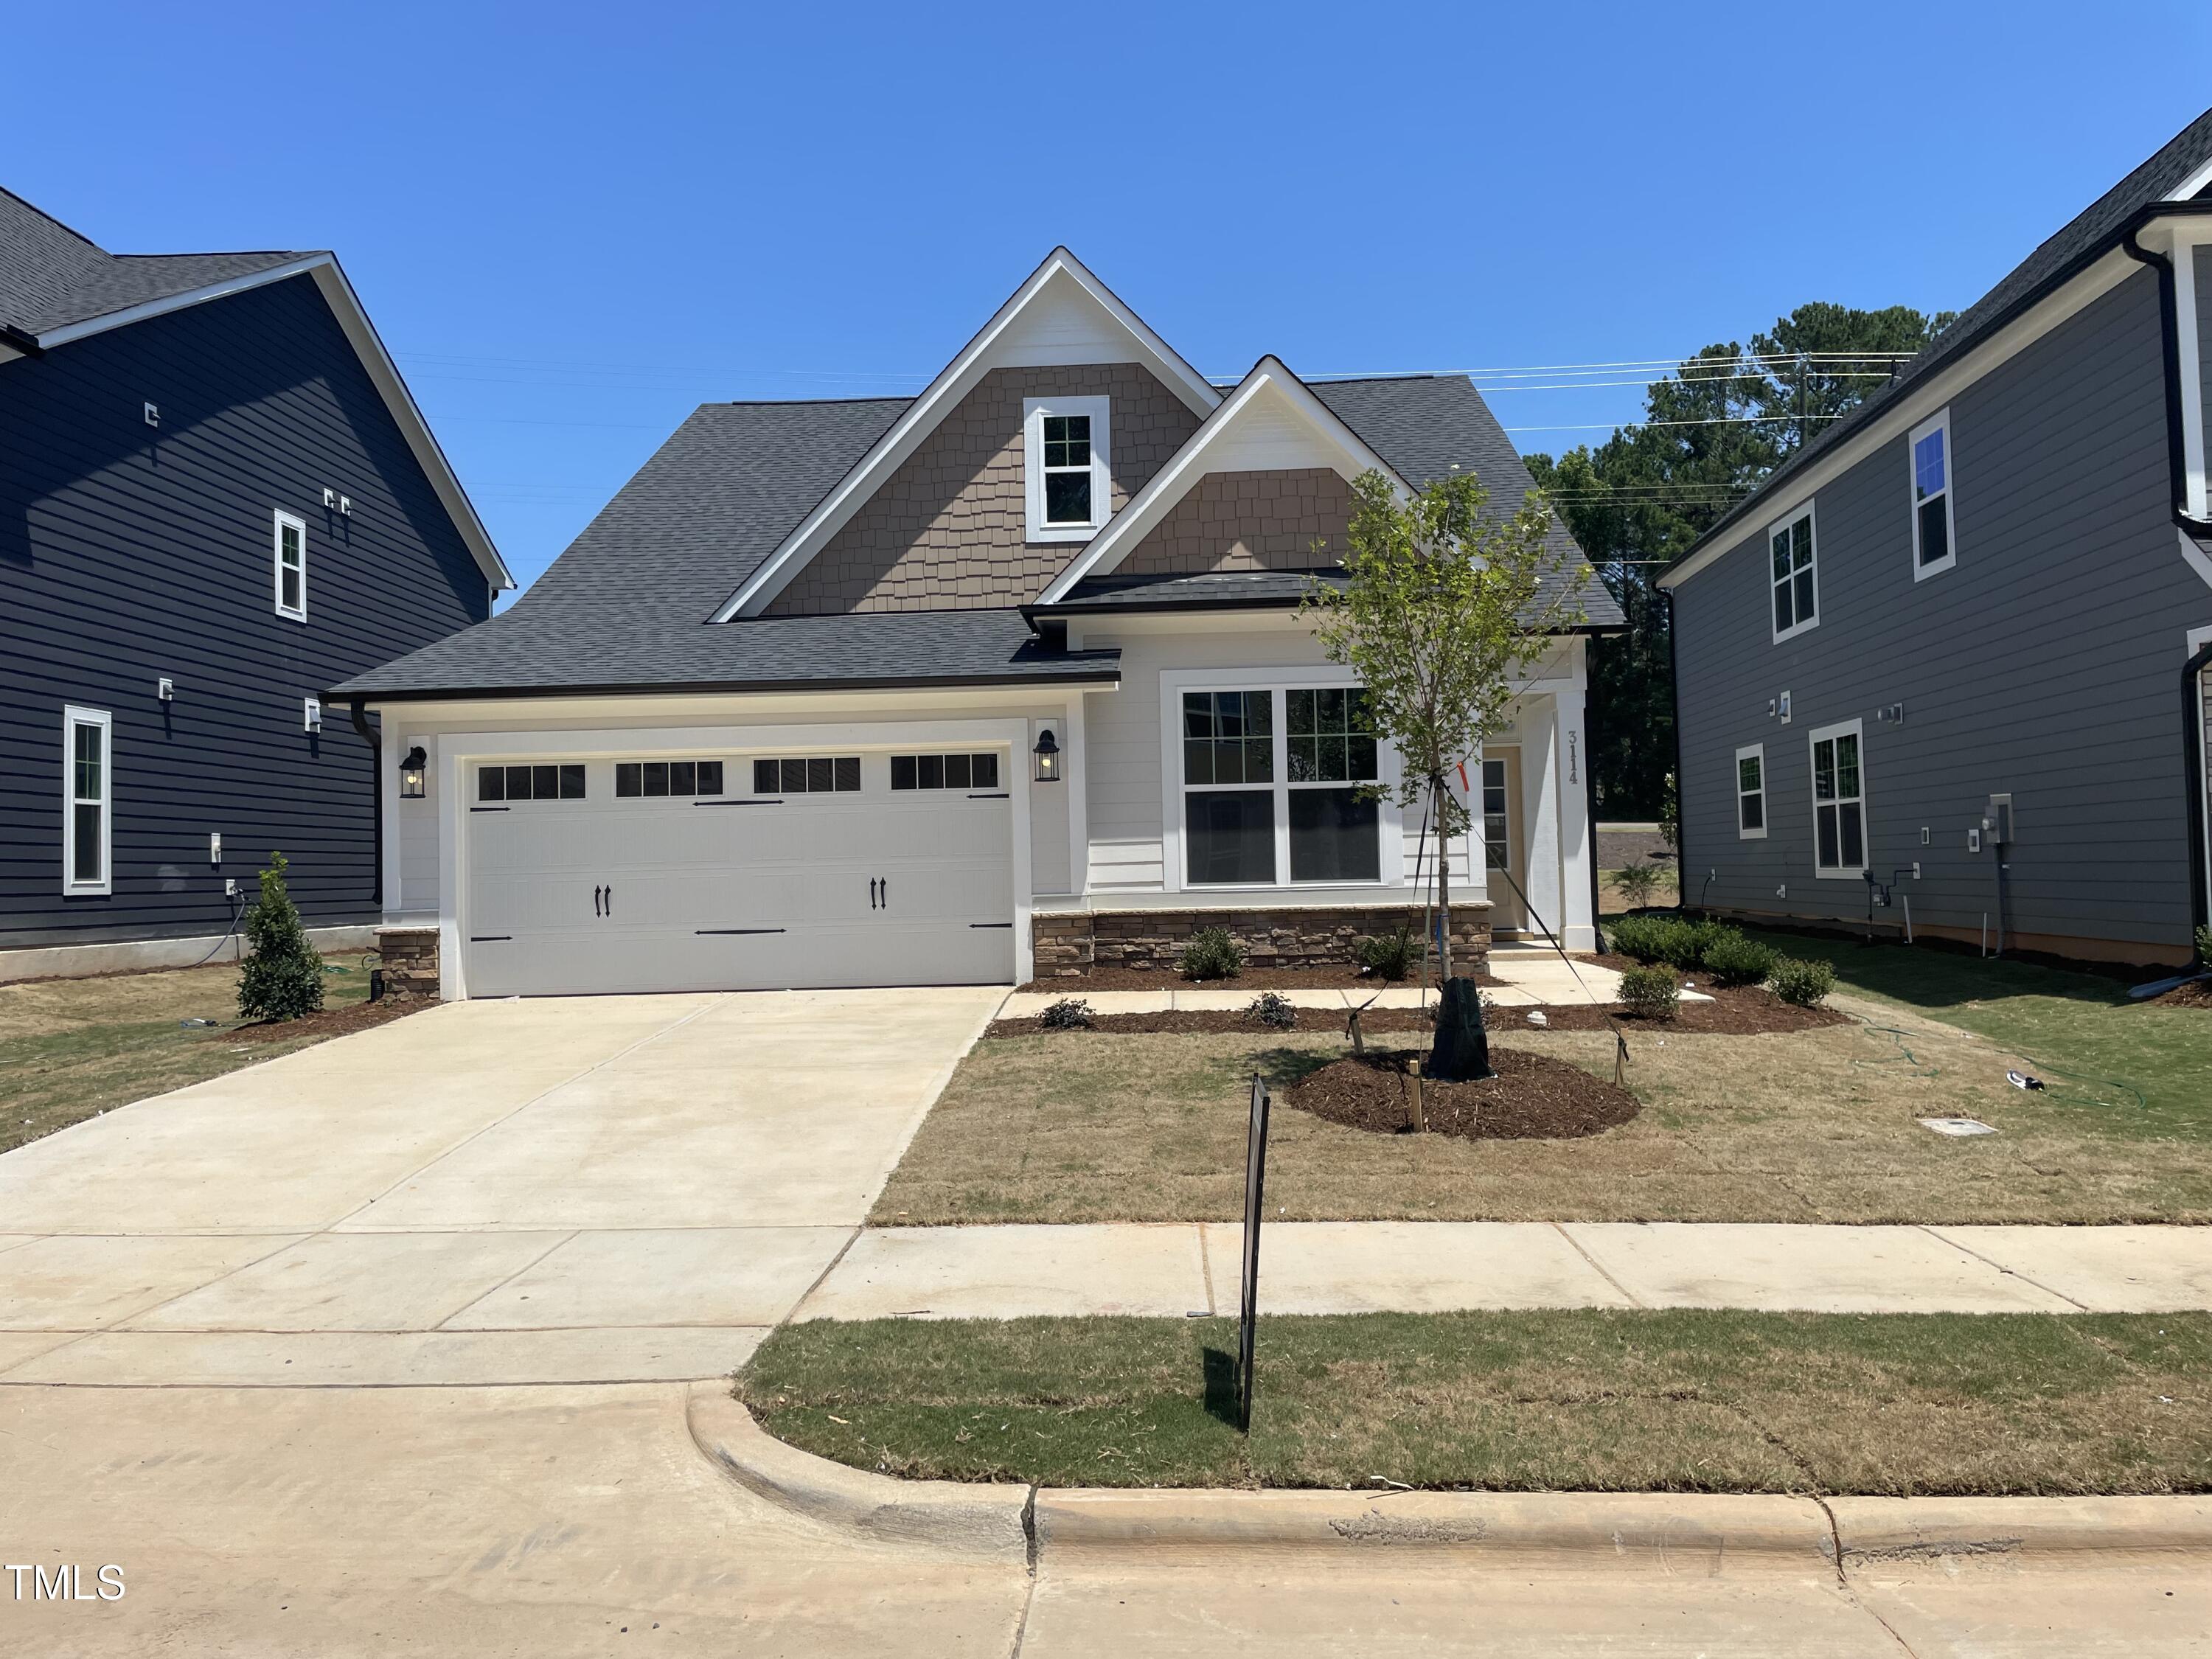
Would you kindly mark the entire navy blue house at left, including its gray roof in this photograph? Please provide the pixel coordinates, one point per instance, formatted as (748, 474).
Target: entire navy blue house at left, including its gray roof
(216, 501)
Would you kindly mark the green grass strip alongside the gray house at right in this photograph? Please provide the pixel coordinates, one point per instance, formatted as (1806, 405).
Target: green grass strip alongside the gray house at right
(2142, 1070)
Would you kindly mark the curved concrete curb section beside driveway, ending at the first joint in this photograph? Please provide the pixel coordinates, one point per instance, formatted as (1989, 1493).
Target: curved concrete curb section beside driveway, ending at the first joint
(943, 1514)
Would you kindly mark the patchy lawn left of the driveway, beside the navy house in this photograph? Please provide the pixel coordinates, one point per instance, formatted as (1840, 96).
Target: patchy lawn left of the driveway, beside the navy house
(79, 1047)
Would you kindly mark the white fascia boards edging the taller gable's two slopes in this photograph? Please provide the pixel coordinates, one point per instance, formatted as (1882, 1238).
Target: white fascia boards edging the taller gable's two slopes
(935, 404)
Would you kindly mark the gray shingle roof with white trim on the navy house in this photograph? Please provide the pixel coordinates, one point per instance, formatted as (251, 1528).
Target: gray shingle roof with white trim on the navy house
(61, 286)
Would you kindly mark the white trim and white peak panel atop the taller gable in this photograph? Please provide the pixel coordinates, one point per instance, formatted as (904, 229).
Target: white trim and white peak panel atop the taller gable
(999, 344)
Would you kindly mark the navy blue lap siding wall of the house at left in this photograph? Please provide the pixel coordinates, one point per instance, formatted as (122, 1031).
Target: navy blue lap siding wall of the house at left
(136, 554)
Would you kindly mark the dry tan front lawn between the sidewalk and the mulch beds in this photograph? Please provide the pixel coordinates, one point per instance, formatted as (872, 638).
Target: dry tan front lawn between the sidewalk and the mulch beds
(1784, 1127)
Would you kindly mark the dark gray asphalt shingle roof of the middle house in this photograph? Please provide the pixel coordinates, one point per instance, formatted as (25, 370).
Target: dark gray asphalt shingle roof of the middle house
(629, 603)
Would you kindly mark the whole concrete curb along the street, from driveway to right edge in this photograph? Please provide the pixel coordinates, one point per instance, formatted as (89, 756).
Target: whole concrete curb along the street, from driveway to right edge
(1671, 1536)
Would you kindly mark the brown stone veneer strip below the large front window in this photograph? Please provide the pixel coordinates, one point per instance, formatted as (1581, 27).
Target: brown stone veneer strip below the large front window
(1072, 943)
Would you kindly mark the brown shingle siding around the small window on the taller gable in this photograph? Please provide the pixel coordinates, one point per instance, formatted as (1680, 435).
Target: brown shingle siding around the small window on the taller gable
(946, 530)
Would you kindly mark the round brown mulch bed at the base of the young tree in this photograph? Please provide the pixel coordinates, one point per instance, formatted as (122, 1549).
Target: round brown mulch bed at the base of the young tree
(1534, 1098)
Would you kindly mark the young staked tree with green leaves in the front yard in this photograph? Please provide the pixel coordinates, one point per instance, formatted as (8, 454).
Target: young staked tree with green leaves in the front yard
(1443, 605)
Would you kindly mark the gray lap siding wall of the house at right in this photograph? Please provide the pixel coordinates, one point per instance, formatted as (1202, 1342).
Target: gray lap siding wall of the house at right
(2041, 665)
